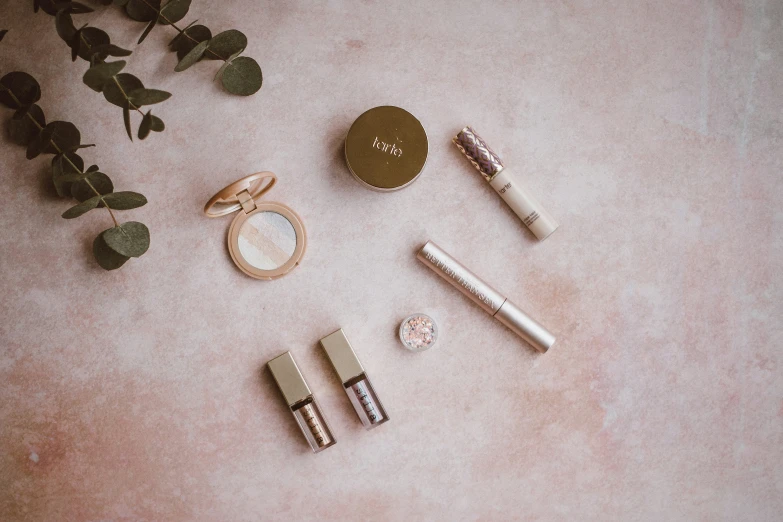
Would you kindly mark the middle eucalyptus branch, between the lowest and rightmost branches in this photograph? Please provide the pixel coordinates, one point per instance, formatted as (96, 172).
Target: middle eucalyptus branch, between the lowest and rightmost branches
(93, 45)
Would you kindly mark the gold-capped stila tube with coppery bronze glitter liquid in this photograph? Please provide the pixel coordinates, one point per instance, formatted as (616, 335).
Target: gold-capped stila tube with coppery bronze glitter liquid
(302, 402)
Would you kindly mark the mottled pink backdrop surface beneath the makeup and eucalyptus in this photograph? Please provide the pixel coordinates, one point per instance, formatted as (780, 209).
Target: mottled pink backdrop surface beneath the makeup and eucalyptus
(652, 129)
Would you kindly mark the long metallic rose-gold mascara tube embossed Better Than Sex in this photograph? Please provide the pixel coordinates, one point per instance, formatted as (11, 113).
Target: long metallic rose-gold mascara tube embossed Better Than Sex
(485, 296)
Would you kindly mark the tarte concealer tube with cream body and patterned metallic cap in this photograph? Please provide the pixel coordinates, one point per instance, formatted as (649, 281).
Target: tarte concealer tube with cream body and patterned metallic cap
(521, 201)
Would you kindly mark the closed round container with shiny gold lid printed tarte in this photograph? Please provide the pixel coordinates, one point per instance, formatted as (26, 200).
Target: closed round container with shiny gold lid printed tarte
(386, 148)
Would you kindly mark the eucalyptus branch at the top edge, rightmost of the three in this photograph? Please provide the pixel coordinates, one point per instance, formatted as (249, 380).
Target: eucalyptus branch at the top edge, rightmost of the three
(239, 74)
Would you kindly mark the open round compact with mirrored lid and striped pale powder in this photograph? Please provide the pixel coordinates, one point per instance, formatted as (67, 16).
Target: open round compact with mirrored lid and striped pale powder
(266, 239)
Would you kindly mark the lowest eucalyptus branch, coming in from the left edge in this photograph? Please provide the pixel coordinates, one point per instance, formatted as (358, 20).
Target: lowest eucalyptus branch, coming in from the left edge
(92, 188)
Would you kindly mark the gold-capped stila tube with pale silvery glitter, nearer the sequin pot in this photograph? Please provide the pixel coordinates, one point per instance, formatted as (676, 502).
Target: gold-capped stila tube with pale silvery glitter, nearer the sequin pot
(355, 381)
